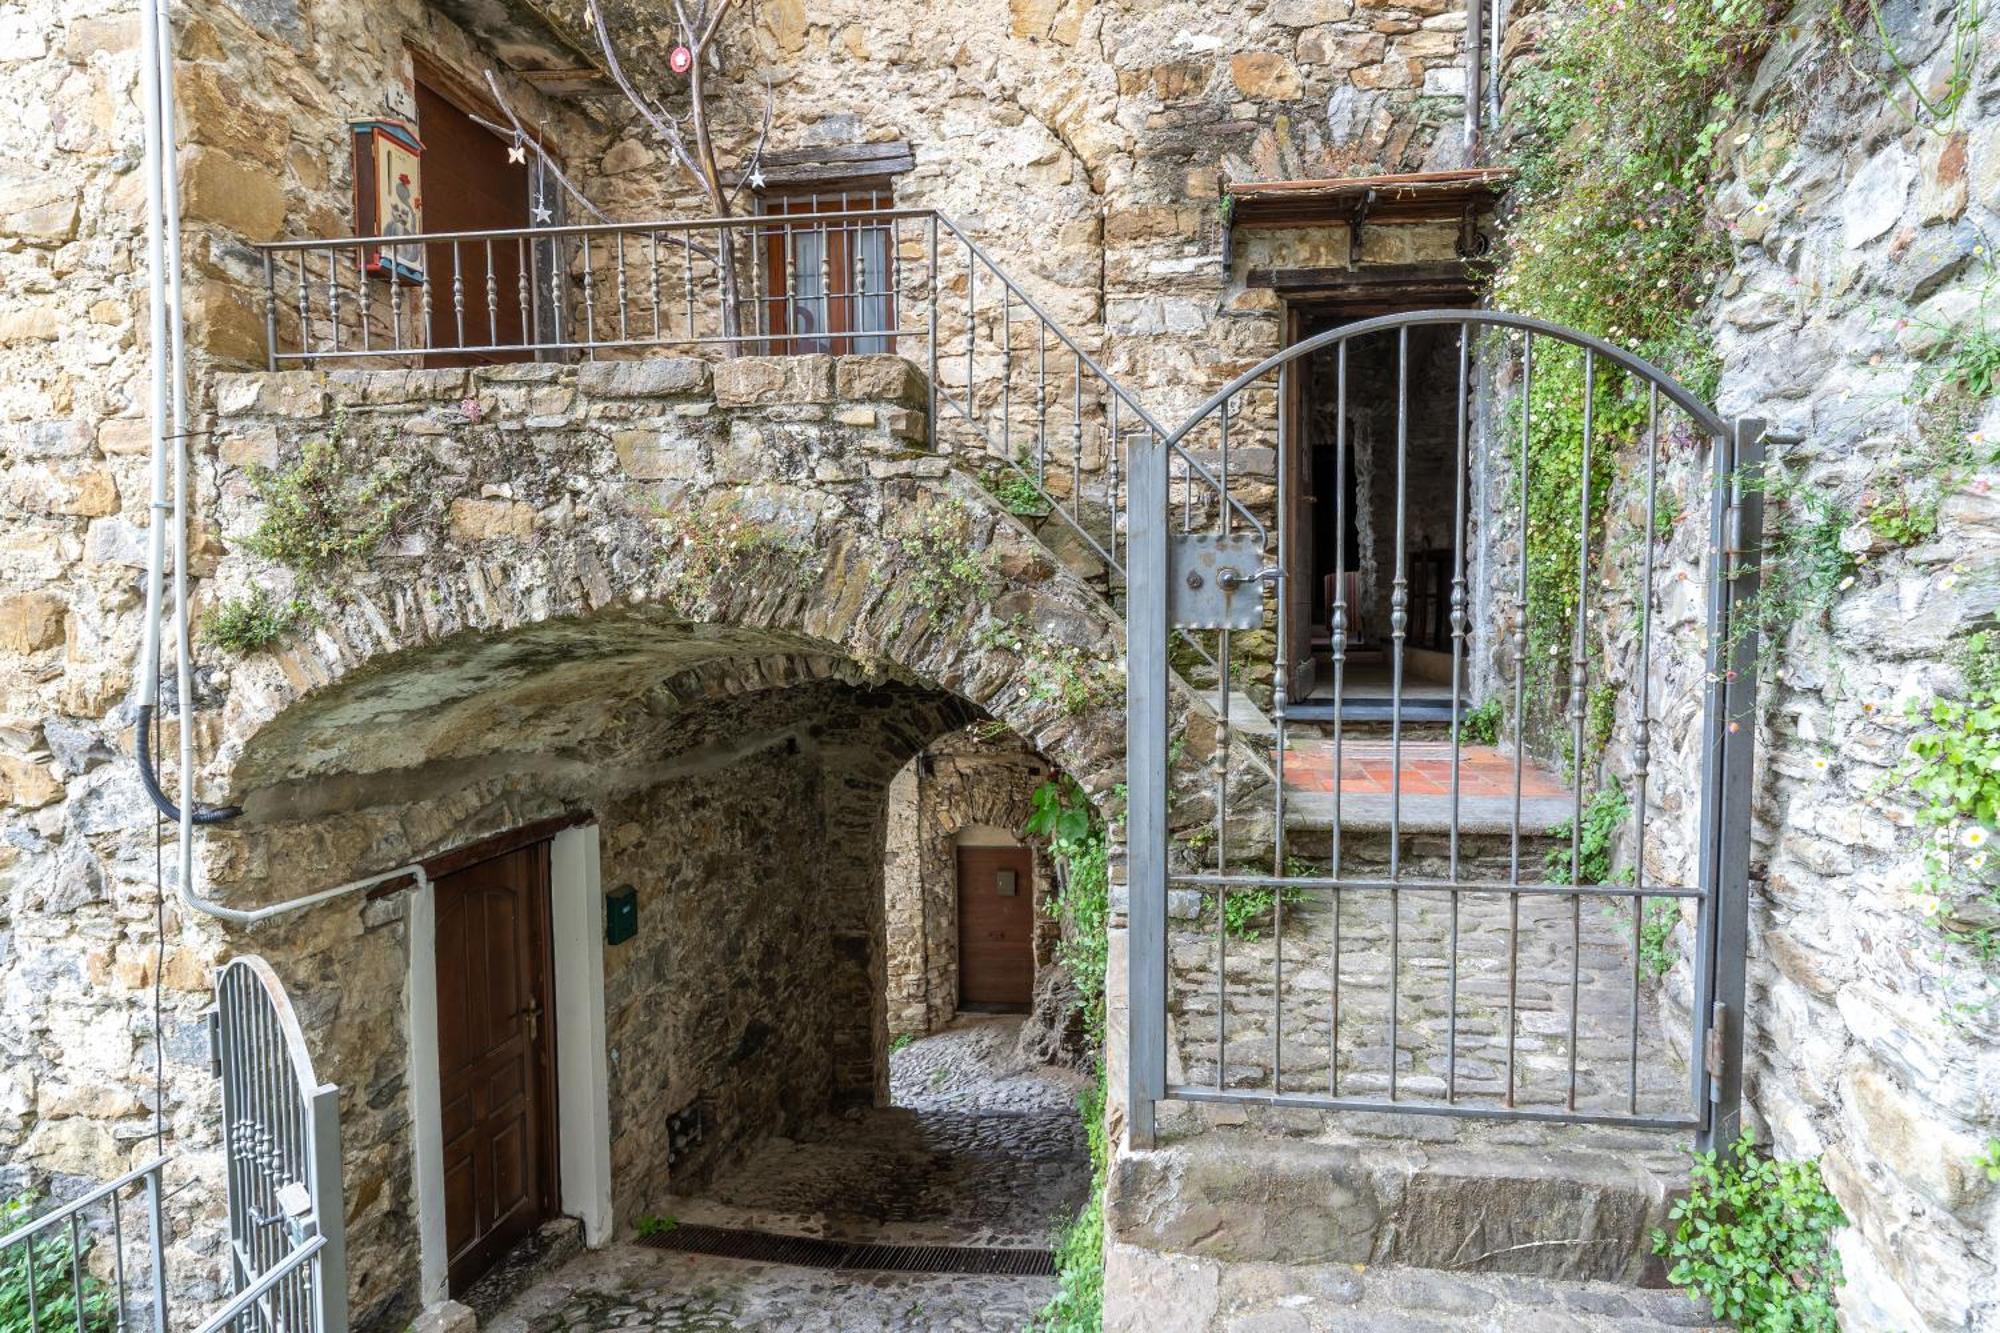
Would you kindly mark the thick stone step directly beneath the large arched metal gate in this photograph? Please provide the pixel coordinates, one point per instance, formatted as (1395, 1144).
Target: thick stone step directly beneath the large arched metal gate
(1299, 1190)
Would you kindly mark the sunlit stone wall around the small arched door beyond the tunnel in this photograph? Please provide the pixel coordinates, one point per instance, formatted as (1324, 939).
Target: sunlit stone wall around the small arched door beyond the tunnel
(963, 788)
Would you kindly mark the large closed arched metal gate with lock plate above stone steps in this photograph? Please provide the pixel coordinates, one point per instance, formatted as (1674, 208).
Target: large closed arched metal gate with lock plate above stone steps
(1391, 916)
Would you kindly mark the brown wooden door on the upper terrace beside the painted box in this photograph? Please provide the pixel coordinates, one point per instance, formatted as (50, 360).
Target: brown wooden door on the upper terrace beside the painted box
(471, 187)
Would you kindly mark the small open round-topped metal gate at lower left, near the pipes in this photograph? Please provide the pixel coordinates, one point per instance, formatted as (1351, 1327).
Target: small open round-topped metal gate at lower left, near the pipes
(281, 1144)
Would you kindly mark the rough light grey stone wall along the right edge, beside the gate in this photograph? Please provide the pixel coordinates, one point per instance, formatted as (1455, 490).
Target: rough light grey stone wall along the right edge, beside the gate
(1865, 247)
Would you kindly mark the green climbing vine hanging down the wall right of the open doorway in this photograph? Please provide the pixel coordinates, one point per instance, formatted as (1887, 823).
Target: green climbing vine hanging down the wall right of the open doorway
(1611, 235)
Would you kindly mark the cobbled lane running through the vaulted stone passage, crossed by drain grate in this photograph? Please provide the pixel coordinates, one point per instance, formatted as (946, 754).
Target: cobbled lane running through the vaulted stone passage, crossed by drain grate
(981, 1150)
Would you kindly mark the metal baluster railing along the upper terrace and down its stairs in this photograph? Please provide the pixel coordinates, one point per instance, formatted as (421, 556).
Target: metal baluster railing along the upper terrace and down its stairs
(1041, 411)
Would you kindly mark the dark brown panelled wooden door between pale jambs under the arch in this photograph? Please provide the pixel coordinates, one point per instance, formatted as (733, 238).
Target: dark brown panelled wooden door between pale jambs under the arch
(495, 1058)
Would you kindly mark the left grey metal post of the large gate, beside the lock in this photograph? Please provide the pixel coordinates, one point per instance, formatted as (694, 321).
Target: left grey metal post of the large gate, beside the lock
(1147, 507)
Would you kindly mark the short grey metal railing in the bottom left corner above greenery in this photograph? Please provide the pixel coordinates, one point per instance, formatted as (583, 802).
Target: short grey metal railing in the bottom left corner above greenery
(91, 1266)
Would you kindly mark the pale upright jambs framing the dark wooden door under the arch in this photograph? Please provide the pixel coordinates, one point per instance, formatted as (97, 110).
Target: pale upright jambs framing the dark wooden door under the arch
(583, 1068)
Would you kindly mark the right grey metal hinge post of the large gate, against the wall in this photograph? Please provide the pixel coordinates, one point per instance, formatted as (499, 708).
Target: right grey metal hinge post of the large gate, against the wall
(1741, 529)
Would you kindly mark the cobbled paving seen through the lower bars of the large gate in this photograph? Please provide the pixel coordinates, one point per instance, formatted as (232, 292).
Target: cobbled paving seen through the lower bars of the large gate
(1581, 946)
